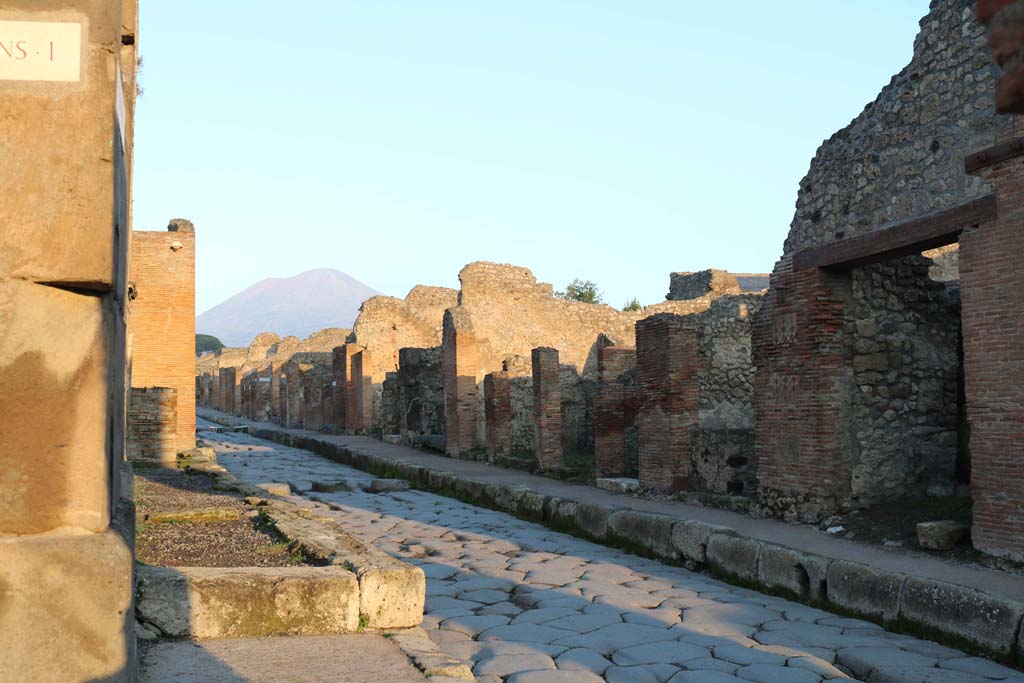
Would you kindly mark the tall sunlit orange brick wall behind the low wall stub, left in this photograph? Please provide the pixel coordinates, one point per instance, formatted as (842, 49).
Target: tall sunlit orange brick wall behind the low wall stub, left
(163, 318)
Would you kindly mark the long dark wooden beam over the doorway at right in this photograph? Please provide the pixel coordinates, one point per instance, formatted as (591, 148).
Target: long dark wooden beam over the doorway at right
(912, 237)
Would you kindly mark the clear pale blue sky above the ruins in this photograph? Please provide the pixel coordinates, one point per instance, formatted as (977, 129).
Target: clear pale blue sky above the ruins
(614, 141)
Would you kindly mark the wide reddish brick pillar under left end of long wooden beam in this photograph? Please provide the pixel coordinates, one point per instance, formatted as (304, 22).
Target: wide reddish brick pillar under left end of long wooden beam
(801, 389)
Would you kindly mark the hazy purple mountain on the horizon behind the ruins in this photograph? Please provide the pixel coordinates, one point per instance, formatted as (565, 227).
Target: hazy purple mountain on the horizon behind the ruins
(300, 306)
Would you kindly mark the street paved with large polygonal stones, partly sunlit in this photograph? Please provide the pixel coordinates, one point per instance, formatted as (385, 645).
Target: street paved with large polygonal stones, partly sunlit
(530, 606)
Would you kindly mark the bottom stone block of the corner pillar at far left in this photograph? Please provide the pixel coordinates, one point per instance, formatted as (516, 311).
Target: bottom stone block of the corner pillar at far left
(66, 612)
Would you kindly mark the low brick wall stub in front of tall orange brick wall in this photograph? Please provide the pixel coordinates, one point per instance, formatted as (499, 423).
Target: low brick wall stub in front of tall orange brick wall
(153, 425)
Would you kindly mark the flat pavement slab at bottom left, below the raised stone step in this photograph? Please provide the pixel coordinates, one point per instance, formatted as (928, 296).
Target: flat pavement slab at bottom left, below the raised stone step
(352, 659)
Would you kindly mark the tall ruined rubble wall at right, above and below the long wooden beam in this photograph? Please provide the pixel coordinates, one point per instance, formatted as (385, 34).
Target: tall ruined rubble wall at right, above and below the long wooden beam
(892, 391)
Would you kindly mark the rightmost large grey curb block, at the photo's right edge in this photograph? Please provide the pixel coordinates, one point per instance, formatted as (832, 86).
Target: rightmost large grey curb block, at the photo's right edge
(984, 620)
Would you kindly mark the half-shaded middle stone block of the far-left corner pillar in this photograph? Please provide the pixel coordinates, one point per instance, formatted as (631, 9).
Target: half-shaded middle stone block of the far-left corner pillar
(56, 352)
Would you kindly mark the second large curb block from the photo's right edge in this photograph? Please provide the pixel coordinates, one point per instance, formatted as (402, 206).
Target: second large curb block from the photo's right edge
(865, 590)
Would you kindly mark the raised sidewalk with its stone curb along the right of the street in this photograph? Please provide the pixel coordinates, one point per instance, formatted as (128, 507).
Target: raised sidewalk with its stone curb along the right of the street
(967, 607)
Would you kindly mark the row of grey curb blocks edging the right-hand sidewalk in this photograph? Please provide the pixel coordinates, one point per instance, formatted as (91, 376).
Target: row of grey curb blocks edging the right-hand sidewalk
(959, 616)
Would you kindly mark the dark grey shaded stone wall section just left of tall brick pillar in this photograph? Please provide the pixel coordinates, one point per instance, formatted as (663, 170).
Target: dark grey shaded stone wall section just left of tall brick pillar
(421, 394)
